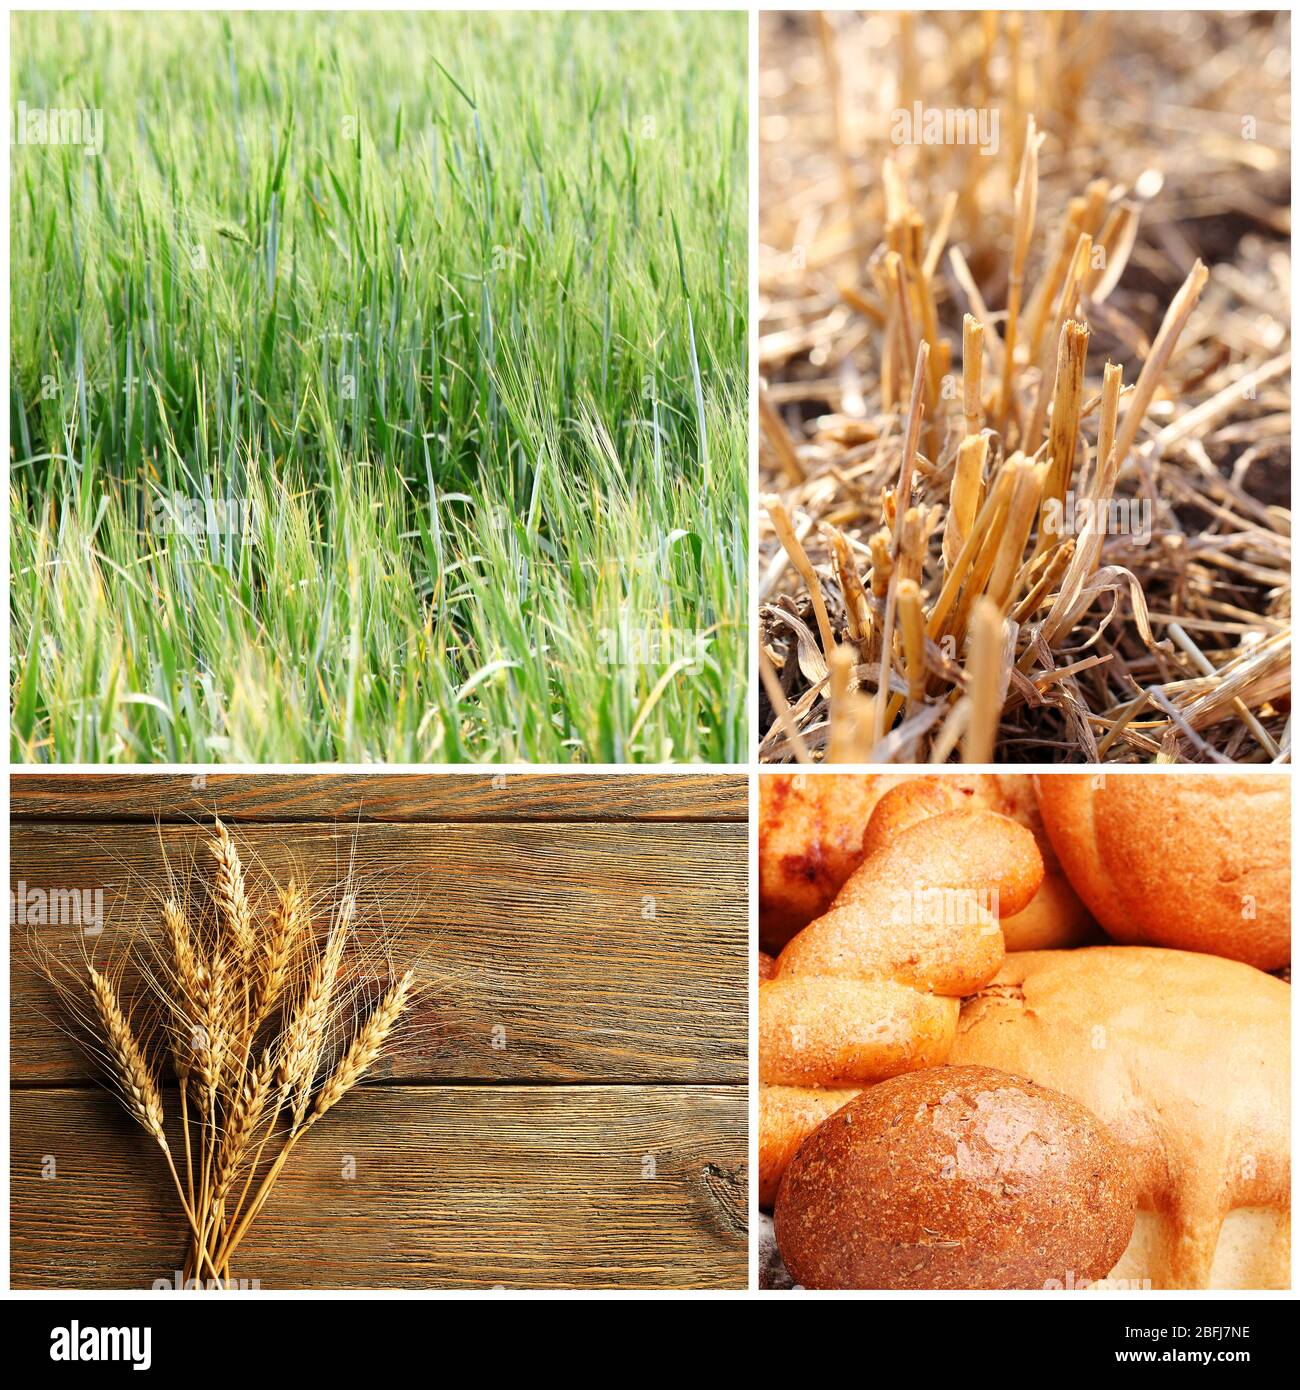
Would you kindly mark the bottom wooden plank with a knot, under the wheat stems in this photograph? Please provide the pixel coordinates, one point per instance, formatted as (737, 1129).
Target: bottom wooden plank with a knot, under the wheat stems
(537, 1188)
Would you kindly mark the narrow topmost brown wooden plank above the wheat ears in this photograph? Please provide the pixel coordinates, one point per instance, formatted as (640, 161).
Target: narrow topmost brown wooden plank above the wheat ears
(444, 797)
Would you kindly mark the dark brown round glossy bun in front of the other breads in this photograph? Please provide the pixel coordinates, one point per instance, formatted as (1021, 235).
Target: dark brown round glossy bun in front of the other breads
(956, 1178)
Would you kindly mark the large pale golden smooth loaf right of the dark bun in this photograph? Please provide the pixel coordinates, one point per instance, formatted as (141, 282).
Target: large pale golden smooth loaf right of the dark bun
(1187, 1060)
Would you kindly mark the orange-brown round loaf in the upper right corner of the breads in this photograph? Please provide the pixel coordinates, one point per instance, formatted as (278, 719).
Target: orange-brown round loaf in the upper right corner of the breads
(1198, 862)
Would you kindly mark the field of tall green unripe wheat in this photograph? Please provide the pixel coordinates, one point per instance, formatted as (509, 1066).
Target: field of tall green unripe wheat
(379, 389)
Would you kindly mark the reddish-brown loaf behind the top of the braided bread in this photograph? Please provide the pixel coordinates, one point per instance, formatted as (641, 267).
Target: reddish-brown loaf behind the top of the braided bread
(813, 831)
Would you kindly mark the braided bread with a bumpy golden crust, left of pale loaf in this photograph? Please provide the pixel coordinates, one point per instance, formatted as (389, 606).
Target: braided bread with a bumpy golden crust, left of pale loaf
(872, 989)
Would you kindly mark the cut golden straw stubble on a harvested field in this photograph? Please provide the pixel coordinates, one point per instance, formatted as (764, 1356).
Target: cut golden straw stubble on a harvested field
(952, 566)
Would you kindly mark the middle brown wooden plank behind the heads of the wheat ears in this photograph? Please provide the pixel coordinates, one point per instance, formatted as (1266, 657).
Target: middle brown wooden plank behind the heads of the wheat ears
(554, 953)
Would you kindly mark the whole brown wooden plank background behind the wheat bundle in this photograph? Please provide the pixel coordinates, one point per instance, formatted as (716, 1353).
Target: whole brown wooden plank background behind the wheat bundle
(583, 947)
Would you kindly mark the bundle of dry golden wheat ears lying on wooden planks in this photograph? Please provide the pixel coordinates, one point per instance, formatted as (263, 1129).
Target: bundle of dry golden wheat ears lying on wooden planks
(268, 1020)
